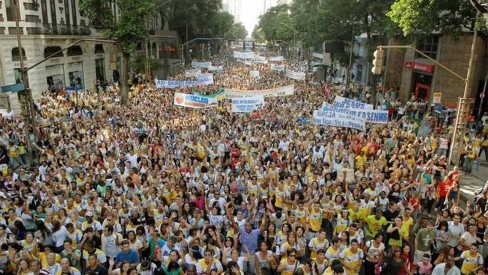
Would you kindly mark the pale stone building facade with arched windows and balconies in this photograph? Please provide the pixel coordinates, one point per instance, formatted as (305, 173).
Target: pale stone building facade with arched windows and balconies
(46, 27)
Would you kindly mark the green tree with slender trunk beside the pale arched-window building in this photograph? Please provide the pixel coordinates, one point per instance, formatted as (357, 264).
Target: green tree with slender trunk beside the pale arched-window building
(129, 29)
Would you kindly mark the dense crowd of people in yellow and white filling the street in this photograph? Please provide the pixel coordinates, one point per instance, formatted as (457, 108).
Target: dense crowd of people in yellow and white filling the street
(153, 188)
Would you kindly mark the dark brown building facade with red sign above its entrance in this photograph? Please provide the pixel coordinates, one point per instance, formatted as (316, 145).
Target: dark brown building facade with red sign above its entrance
(417, 77)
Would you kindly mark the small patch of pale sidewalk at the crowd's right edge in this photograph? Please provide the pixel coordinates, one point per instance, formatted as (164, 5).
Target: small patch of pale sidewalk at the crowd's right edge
(470, 183)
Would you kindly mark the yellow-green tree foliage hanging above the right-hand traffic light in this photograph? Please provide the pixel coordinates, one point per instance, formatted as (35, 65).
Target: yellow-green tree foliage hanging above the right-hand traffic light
(417, 18)
